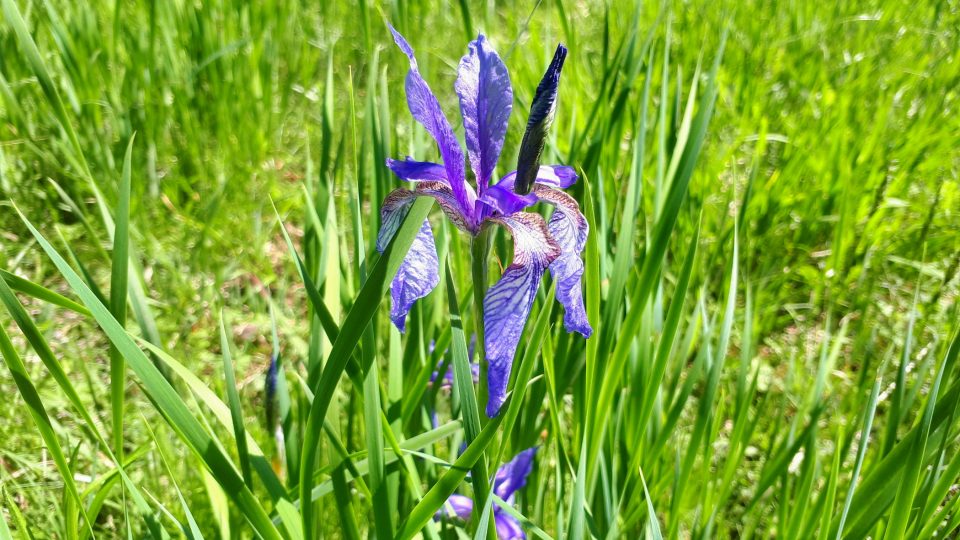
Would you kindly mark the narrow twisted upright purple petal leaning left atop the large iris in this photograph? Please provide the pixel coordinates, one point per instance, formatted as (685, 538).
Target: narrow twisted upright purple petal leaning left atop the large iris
(426, 109)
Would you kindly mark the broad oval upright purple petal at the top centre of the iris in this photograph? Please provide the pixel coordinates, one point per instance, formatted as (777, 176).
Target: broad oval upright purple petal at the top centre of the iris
(486, 98)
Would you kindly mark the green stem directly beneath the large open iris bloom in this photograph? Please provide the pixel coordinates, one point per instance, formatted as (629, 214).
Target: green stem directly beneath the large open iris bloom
(480, 252)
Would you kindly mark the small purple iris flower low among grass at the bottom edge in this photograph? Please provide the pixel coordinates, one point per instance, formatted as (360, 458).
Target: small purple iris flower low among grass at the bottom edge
(510, 477)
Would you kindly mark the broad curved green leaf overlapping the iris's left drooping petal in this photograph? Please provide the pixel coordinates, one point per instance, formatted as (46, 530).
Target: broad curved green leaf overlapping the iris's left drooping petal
(360, 315)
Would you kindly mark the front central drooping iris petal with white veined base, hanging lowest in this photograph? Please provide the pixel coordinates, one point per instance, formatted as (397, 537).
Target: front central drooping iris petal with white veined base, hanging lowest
(507, 304)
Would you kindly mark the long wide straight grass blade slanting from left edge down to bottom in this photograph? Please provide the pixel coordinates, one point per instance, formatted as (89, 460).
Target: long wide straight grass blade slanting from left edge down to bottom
(164, 397)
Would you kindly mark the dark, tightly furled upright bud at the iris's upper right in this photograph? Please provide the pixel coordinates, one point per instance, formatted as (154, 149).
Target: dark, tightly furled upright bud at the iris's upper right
(541, 116)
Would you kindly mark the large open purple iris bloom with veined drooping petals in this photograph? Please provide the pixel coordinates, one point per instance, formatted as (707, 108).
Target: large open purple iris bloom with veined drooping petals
(486, 99)
